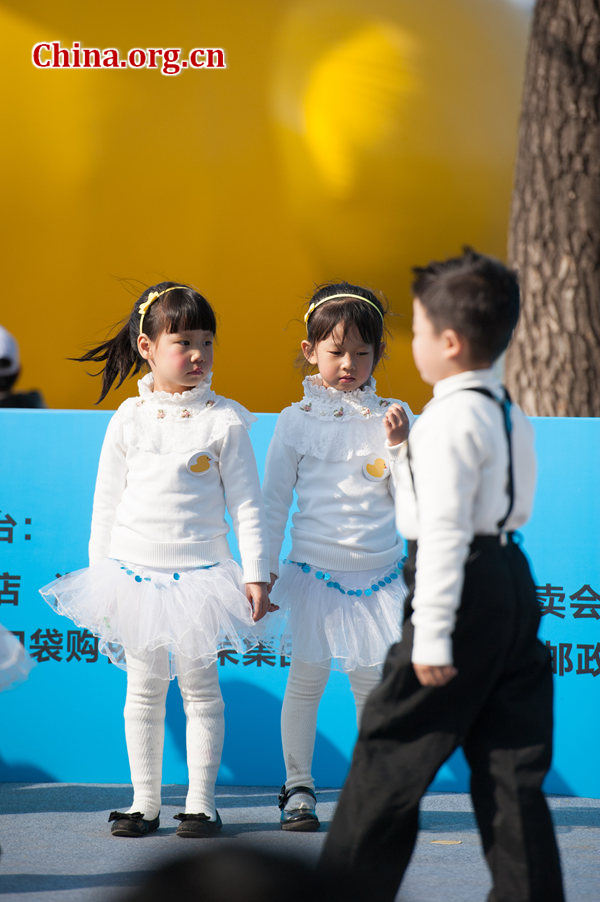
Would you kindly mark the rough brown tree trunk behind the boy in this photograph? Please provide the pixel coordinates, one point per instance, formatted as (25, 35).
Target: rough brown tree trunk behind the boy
(553, 363)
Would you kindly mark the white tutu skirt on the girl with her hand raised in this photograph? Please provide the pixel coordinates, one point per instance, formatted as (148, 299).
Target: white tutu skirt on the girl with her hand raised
(347, 617)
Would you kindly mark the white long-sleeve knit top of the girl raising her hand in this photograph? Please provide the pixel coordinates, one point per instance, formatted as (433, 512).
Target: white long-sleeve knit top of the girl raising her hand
(330, 449)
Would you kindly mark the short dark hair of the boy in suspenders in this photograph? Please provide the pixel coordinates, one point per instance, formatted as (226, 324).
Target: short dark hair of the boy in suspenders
(475, 295)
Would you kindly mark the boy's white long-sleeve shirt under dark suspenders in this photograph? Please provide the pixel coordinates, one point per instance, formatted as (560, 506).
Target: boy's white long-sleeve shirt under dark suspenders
(459, 457)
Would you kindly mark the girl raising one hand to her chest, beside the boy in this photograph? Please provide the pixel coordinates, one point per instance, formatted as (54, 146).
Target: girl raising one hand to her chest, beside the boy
(341, 586)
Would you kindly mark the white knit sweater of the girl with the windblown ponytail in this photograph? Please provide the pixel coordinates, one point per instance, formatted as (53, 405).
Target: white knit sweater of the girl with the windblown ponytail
(170, 465)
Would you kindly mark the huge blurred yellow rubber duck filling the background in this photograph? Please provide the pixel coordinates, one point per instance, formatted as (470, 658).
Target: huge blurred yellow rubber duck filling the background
(346, 139)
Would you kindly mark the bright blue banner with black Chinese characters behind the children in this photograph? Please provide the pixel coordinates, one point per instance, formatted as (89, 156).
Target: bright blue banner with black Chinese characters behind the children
(65, 723)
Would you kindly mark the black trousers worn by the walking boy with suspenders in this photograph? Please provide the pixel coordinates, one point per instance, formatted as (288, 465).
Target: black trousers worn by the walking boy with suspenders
(498, 707)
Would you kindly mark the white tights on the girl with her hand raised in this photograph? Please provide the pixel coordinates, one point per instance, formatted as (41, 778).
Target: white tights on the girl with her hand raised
(305, 686)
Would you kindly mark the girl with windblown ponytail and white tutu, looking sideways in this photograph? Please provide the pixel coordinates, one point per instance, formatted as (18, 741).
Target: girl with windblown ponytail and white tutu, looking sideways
(162, 591)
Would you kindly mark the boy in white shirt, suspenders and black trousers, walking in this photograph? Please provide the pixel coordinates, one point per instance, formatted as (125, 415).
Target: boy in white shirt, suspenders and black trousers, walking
(469, 670)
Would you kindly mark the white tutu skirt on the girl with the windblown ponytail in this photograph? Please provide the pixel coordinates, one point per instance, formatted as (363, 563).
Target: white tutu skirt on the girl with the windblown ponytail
(192, 614)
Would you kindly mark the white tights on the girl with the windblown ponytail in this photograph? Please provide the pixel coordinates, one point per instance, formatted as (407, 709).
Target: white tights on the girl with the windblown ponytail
(145, 731)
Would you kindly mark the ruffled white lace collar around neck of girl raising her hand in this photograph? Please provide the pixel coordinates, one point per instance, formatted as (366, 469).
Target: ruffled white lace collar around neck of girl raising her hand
(330, 403)
